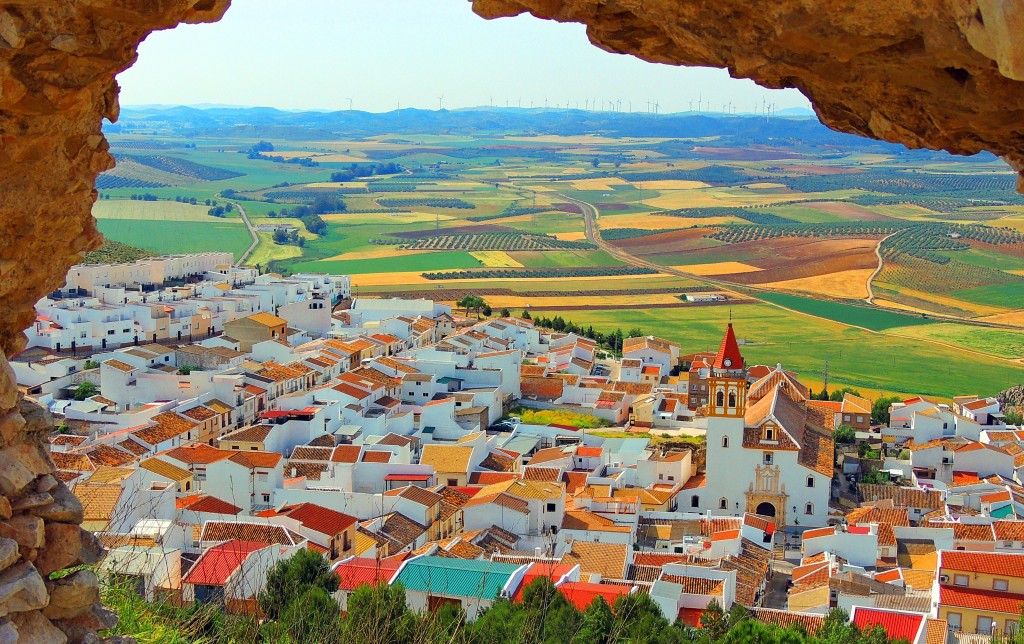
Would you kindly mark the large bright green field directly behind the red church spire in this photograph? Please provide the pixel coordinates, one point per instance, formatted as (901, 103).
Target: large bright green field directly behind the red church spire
(857, 358)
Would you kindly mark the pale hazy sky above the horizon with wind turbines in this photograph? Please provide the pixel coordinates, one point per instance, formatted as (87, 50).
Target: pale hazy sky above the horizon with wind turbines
(319, 54)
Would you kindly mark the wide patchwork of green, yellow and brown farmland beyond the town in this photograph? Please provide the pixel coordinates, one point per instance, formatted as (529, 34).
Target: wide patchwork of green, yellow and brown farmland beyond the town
(918, 250)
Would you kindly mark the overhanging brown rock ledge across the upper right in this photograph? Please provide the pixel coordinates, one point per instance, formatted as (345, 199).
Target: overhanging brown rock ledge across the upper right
(938, 74)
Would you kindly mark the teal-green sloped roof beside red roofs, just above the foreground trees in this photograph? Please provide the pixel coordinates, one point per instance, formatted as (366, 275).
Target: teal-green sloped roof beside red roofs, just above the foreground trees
(456, 578)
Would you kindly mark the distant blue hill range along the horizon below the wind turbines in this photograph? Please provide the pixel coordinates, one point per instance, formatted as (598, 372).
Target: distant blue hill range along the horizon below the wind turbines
(793, 127)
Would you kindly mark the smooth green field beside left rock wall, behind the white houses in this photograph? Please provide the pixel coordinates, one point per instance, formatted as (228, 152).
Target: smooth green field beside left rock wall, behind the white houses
(180, 237)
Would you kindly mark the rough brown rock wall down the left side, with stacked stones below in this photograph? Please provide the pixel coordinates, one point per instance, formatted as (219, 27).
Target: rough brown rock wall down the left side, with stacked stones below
(58, 63)
